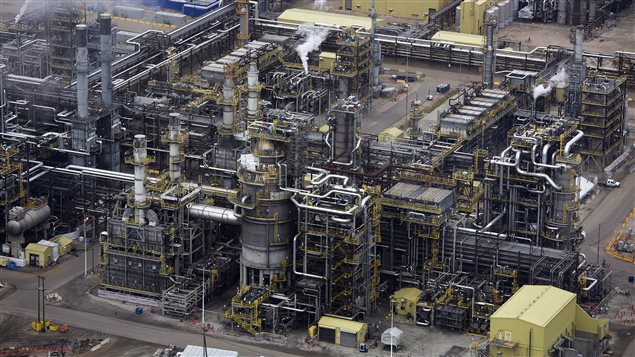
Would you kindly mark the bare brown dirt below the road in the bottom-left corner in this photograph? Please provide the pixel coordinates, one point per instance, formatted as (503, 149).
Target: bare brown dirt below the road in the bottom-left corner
(16, 332)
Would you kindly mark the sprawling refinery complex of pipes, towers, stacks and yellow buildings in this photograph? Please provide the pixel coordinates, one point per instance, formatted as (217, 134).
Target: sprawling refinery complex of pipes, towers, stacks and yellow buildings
(239, 154)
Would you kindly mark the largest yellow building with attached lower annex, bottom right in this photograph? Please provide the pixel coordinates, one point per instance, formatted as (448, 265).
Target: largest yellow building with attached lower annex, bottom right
(540, 318)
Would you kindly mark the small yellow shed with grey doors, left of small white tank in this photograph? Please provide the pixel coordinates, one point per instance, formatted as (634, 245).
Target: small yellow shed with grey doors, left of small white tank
(341, 331)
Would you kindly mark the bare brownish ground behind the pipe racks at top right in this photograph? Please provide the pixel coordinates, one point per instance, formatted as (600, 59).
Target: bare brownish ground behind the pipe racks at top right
(608, 40)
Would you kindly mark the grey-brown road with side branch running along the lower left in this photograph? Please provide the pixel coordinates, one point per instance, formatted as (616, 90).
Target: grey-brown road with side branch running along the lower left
(23, 302)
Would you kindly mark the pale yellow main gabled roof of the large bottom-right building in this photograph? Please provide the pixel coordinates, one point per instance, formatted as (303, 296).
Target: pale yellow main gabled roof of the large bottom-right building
(535, 304)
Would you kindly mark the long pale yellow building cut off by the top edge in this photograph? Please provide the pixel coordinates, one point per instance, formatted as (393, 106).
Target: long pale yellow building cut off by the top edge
(412, 9)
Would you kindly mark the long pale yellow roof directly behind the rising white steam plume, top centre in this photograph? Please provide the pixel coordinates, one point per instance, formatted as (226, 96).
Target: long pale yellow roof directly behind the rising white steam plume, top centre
(300, 16)
